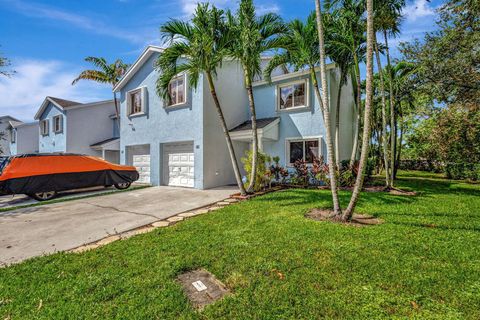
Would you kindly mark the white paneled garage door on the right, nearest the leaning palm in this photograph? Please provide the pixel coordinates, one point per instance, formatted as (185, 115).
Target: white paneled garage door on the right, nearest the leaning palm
(179, 165)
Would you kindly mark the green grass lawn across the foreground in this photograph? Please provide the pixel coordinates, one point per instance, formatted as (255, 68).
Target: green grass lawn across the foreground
(423, 263)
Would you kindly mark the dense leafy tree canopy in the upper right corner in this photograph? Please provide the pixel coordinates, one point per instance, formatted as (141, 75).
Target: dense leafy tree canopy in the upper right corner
(448, 60)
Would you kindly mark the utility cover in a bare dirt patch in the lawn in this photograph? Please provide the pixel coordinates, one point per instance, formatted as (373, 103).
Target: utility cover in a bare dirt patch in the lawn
(202, 288)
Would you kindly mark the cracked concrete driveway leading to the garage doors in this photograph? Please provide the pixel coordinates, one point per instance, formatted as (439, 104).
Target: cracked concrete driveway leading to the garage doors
(29, 232)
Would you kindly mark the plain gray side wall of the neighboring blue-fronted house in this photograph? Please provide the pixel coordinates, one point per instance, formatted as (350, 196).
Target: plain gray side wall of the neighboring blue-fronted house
(87, 125)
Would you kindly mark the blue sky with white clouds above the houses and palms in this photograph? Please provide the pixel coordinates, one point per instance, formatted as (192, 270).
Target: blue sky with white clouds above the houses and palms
(47, 41)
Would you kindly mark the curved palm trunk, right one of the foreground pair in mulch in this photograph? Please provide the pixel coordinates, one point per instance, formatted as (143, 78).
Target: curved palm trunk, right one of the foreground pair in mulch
(347, 215)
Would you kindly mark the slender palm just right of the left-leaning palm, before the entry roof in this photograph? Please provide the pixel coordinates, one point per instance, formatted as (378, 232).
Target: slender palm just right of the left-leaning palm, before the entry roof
(252, 35)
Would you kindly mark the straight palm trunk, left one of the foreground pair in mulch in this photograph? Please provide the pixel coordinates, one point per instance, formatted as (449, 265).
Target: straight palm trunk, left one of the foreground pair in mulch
(326, 112)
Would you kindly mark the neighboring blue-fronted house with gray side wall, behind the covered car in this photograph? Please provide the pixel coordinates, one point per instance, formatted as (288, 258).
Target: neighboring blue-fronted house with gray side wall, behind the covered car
(73, 127)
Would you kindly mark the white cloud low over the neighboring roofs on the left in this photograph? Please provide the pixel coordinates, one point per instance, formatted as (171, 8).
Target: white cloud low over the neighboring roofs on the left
(23, 93)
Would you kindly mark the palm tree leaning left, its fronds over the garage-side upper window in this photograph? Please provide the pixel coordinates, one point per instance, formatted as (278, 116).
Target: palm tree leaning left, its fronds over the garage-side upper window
(195, 48)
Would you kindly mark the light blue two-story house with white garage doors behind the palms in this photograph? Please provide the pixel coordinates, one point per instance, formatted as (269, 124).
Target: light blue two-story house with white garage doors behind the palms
(182, 143)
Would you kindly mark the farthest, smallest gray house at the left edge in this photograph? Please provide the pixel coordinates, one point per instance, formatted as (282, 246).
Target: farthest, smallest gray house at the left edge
(24, 138)
